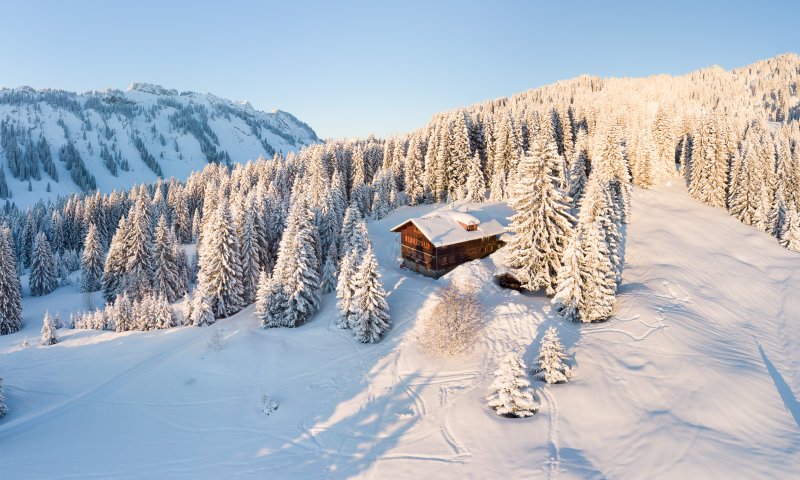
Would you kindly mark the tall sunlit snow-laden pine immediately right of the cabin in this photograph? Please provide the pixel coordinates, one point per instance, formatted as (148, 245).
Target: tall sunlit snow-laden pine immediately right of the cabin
(542, 224)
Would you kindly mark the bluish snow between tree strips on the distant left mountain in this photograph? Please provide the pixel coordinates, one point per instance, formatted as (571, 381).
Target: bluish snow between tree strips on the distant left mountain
(227, 120)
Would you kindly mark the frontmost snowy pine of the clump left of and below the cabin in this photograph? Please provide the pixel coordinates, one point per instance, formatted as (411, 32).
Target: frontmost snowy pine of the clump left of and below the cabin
(370, 319)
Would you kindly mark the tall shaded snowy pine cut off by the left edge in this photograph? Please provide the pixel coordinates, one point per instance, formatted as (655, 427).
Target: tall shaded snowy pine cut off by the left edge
(10, 290)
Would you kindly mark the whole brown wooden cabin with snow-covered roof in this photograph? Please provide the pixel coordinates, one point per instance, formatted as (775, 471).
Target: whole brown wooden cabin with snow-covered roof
(439, 242)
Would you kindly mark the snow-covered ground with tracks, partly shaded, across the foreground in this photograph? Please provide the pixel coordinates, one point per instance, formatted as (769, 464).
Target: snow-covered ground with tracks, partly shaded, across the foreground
(696, 376)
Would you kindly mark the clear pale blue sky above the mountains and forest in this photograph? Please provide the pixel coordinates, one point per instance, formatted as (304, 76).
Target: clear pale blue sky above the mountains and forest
(354, 68)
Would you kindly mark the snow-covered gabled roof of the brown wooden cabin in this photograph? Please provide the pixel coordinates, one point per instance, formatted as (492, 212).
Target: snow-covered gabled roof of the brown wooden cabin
(447, 227)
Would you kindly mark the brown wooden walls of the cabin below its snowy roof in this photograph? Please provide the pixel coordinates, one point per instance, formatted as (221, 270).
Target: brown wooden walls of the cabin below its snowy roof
(420, 255)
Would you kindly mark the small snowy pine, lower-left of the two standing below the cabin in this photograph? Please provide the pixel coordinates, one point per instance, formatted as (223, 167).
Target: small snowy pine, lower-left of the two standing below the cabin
(512, 395)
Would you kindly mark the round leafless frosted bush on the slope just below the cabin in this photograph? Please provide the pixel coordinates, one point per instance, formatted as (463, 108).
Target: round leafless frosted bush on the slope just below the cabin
(454, 322)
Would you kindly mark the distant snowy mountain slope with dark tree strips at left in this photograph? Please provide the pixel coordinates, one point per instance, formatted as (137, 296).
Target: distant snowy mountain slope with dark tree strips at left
(115, 138)
